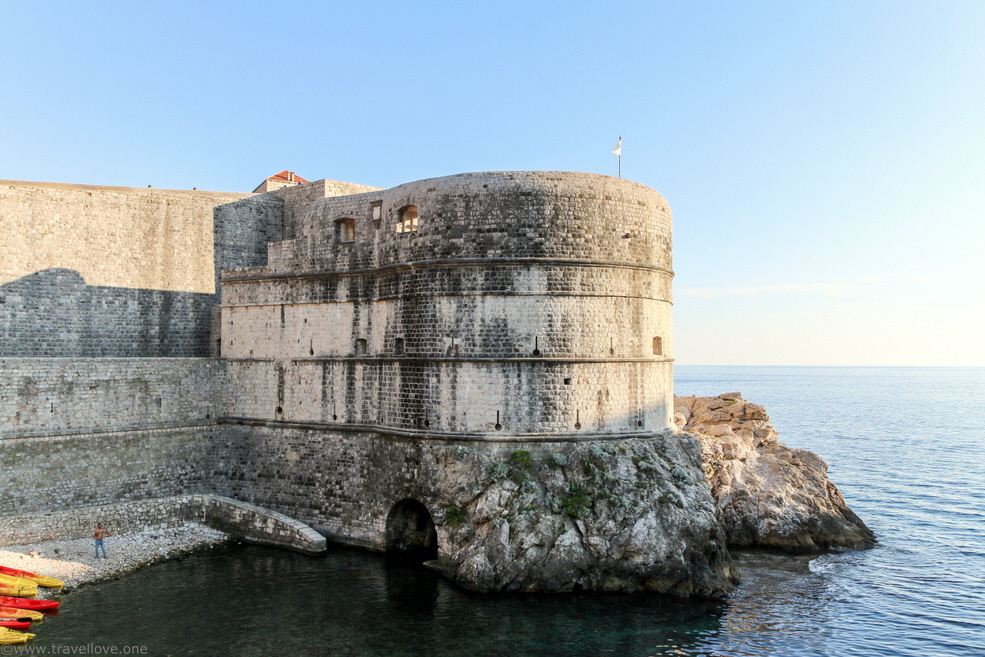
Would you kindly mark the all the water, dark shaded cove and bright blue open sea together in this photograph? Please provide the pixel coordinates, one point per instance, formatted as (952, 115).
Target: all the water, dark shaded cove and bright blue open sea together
(904, 445)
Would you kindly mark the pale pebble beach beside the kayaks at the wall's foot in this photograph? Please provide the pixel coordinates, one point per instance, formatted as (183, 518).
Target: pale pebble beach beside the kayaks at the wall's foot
(75, 563)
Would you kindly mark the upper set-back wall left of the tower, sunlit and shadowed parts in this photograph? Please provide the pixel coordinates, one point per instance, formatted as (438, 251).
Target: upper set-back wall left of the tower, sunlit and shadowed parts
(95, 271)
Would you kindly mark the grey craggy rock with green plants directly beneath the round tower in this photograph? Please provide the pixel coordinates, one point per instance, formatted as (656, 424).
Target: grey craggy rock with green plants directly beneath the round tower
(627, 515)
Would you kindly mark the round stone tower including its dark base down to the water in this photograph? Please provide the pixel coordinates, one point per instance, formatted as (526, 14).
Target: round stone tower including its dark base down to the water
(527, 308)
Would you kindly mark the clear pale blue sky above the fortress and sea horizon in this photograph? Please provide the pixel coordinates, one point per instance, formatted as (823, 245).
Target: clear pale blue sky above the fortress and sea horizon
(824, 161)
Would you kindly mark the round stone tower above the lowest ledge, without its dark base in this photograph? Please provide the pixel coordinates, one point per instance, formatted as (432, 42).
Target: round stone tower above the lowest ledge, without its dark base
(488, 306)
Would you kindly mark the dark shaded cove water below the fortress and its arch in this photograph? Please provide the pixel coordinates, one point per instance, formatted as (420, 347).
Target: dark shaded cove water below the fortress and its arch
(256, 601)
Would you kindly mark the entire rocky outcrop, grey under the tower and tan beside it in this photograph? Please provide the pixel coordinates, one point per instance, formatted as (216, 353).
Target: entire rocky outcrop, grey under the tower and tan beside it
(642, 514)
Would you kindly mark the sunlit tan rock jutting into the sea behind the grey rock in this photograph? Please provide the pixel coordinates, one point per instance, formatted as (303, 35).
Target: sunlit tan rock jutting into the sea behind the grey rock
(766, 494)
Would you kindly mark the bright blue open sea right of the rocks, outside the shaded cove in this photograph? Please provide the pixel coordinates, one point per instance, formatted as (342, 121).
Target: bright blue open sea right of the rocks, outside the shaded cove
(905, 447)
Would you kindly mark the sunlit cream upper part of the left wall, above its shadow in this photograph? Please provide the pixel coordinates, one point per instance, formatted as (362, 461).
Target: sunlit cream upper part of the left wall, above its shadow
(157, 239)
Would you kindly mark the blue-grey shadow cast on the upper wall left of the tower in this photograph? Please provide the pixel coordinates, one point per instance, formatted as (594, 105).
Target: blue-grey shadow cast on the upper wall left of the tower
(53, 313)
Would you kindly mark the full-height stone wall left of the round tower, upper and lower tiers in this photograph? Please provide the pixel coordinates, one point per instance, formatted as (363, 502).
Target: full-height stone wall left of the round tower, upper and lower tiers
(107, 297)
